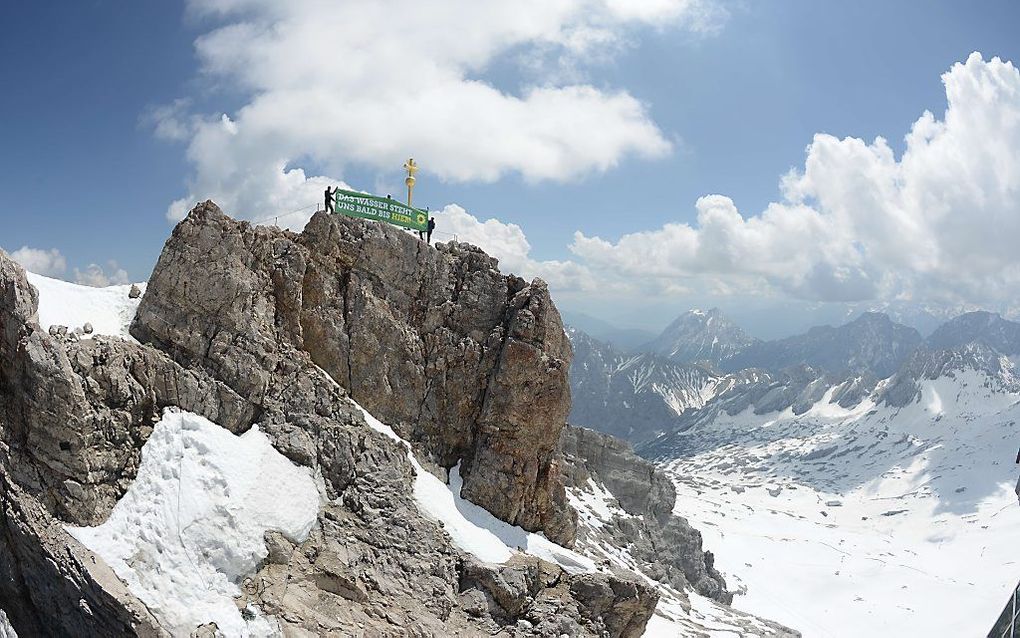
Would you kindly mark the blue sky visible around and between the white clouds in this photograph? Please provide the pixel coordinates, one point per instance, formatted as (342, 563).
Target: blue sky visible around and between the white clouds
(84, 171)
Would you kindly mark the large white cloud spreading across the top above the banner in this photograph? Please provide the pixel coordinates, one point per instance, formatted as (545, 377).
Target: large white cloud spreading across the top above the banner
(334, 84)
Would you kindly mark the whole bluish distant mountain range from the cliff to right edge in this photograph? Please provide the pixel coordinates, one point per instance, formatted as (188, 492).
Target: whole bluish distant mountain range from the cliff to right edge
(704, 363)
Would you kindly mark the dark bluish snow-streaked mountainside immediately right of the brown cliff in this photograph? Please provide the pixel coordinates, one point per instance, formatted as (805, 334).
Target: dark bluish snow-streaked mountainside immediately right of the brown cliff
(633, 397)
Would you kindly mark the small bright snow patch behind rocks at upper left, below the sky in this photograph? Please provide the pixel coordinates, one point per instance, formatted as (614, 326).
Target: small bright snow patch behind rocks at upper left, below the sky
(109, 310)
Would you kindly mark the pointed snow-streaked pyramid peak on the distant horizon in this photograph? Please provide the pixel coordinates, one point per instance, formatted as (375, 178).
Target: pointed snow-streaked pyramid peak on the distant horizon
(701, 336)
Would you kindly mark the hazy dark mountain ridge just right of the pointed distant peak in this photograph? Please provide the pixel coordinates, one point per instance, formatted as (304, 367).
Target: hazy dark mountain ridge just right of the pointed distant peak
(872, 346)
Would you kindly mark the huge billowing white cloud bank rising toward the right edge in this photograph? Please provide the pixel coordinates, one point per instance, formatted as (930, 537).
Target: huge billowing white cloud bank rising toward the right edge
(940, 224)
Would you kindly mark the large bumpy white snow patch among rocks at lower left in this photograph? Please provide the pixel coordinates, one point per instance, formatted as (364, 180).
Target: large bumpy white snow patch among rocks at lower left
(192, 524)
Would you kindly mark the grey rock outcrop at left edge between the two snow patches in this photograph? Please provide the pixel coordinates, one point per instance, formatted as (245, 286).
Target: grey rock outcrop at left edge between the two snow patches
(87, 408)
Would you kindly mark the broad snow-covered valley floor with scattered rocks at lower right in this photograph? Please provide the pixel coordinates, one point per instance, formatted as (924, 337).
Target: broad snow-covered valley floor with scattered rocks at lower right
(872, 522)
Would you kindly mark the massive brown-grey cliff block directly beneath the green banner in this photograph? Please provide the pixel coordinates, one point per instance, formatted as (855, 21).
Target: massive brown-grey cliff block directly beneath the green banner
(469, 364)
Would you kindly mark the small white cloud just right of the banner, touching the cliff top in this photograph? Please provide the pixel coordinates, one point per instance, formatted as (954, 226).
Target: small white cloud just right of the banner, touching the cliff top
(507, 243)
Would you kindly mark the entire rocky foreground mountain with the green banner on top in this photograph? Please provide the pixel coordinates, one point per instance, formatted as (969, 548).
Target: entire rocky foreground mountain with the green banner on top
(290, 336)
